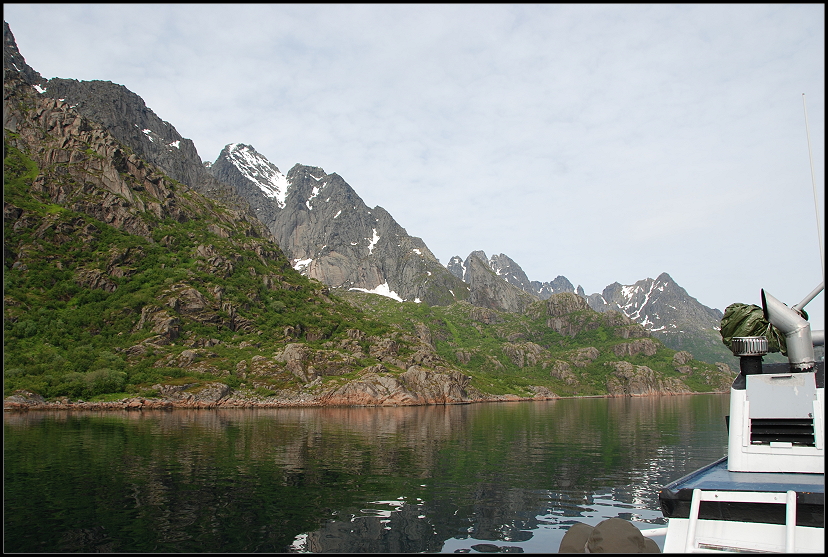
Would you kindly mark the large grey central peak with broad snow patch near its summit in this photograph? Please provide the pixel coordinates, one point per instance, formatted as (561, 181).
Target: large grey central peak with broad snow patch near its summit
(331, 235)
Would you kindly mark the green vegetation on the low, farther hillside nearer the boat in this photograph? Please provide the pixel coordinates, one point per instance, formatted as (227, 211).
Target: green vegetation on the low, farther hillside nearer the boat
(491, 352)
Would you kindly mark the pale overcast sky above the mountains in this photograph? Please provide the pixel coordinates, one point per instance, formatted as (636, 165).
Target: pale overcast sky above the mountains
(604, 143)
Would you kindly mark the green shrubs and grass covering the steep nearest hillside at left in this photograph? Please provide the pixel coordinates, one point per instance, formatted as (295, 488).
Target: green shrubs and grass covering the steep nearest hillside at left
(75, 297)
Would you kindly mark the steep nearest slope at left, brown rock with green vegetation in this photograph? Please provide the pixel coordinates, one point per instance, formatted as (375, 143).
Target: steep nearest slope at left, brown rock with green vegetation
(122, 282)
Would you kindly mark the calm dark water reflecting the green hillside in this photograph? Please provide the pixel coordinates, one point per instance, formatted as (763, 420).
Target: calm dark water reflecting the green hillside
(433, 479)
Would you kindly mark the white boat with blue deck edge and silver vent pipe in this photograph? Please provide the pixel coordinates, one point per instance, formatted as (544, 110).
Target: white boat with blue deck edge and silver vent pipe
(768, 493)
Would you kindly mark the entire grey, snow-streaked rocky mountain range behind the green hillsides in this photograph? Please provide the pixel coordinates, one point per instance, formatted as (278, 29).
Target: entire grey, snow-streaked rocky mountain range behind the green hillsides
(329, 234)
